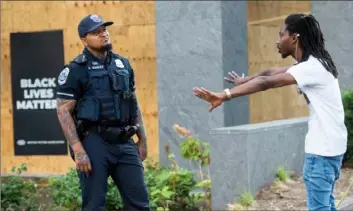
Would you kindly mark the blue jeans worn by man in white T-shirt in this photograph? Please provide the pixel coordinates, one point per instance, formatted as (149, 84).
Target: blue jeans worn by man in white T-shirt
(320, 175)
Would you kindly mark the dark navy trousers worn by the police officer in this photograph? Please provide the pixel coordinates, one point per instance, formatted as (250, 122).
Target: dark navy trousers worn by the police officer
(123, 164)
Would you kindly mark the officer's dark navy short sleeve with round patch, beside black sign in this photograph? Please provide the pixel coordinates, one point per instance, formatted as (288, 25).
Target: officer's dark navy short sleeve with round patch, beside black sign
(69, 83)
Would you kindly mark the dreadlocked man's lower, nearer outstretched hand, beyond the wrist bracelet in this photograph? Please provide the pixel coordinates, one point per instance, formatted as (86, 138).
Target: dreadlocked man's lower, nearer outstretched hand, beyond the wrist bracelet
(215, 99)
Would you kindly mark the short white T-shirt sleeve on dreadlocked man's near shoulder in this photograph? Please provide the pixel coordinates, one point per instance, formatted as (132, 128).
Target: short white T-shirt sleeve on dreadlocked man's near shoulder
(304, 74)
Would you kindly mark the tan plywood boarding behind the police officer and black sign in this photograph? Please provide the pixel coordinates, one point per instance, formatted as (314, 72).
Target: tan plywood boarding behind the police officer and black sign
(133, 36)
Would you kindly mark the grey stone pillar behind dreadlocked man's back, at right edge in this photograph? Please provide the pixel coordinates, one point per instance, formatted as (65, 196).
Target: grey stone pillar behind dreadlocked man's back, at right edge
(336, 21)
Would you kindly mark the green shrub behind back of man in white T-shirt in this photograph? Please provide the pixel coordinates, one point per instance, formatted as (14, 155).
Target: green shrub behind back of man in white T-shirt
(348, 108)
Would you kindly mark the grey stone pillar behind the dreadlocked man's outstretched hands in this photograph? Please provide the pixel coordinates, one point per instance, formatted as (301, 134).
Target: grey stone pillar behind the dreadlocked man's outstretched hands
(198, 42)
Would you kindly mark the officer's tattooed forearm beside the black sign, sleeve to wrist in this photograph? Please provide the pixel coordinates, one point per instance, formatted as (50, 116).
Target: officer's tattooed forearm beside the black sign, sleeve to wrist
(64, 110)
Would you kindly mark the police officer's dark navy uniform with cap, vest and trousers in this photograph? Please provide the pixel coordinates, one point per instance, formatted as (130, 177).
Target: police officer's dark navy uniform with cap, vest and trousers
(104, 108)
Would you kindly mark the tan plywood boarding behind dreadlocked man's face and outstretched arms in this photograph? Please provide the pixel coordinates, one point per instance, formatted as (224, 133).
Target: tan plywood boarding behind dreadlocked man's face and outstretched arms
(264, 21)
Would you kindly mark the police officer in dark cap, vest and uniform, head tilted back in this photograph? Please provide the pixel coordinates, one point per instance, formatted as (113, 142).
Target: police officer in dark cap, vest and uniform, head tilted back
(99, 113)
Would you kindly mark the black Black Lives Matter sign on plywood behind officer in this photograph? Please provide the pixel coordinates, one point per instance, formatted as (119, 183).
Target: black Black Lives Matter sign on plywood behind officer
(36, 60)
